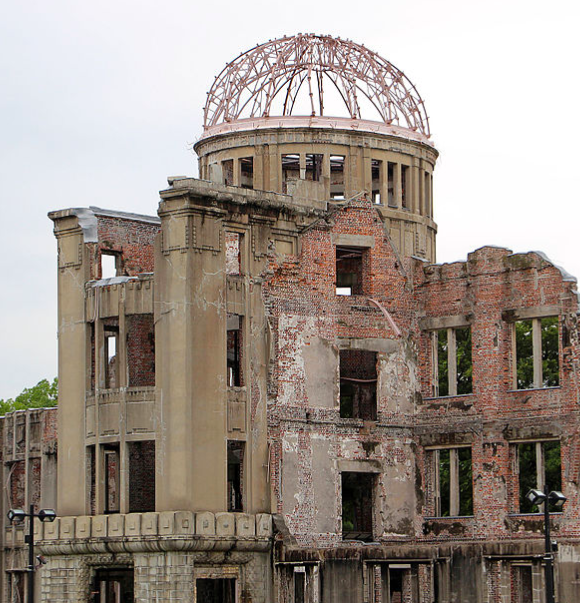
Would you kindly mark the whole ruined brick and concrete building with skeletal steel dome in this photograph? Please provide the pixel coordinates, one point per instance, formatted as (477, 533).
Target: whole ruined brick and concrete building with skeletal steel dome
(271, 393)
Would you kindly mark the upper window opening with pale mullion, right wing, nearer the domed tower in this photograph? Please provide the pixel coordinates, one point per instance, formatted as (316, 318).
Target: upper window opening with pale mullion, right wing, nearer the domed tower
(452, 364)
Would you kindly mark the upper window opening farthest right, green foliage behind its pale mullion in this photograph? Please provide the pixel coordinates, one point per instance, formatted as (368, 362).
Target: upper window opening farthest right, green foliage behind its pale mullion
(537, 356)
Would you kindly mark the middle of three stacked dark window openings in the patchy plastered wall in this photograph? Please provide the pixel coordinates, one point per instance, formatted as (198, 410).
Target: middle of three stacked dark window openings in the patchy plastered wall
(358, 384)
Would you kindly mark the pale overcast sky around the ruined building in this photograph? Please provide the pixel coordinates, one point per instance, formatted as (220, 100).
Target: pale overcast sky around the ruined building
(101, 101)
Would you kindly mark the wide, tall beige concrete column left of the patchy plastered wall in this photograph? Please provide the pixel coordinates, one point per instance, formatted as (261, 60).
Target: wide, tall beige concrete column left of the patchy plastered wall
(190, 336)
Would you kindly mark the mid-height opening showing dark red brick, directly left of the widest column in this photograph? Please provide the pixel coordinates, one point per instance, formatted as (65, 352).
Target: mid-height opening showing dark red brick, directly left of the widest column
(141, 350)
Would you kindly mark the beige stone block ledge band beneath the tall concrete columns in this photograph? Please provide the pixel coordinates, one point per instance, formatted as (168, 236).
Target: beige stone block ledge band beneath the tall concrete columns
(150, 532)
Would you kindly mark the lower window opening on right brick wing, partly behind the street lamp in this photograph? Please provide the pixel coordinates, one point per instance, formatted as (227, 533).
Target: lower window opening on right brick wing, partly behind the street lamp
(539, 466)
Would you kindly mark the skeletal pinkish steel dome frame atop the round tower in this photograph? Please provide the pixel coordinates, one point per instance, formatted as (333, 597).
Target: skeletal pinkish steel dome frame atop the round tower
(270, 76)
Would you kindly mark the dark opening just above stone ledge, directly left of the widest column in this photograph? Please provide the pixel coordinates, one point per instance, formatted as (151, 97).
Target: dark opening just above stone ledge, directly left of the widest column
(141, 476)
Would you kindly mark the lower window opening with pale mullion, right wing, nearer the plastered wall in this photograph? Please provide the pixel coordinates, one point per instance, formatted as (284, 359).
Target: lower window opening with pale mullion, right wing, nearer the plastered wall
(453, 482)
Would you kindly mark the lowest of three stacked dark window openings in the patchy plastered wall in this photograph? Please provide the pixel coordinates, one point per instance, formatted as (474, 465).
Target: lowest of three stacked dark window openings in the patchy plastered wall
(357, 506)
